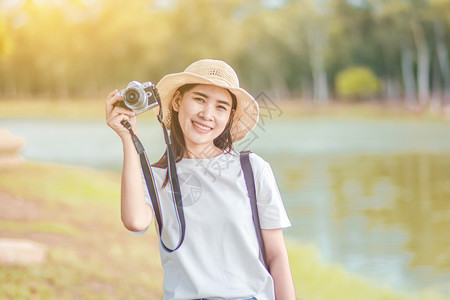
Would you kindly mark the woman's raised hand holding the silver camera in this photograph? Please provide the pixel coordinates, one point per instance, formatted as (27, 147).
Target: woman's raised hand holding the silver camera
(117, 114)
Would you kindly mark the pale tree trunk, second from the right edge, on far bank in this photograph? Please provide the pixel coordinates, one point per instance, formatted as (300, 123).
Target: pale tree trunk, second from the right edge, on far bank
(423, 64)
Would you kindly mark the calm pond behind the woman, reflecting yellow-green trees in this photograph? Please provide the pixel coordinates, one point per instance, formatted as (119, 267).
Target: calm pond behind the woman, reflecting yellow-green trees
(372, 195)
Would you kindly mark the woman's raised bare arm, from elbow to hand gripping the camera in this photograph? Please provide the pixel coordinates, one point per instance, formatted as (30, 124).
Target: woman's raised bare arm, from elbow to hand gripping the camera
(136, 214)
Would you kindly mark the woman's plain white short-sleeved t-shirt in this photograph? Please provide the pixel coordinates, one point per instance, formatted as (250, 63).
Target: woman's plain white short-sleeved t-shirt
(219, 258)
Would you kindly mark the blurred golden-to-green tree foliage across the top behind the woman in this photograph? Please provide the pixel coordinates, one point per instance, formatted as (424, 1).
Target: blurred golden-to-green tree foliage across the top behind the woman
(85, 49)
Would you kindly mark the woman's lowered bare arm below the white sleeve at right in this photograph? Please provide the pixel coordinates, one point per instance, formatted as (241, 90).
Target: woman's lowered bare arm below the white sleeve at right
(278, 261)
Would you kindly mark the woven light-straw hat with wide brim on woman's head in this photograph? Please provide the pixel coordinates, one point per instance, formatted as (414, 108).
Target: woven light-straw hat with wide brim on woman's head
(218, 73)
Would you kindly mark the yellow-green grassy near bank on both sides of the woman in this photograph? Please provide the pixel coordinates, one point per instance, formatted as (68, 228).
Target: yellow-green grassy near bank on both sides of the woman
(75, 212)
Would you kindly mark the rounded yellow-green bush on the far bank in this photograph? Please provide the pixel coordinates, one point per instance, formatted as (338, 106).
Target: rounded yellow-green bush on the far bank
(356, 83)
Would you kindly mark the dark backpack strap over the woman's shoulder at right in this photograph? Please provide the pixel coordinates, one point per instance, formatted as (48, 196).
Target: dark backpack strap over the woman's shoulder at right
(250, 183)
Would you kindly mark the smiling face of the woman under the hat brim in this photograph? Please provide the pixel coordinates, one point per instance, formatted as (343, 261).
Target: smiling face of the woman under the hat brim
(203, 113)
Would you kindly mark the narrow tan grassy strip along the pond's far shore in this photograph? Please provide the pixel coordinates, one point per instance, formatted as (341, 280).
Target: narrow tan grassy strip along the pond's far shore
(94, 108)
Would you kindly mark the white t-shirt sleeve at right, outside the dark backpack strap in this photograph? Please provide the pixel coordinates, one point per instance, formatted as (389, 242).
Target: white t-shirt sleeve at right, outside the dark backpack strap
(272, 213)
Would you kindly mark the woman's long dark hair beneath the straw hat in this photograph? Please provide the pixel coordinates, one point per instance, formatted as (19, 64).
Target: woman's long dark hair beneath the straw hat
(224, 141)
